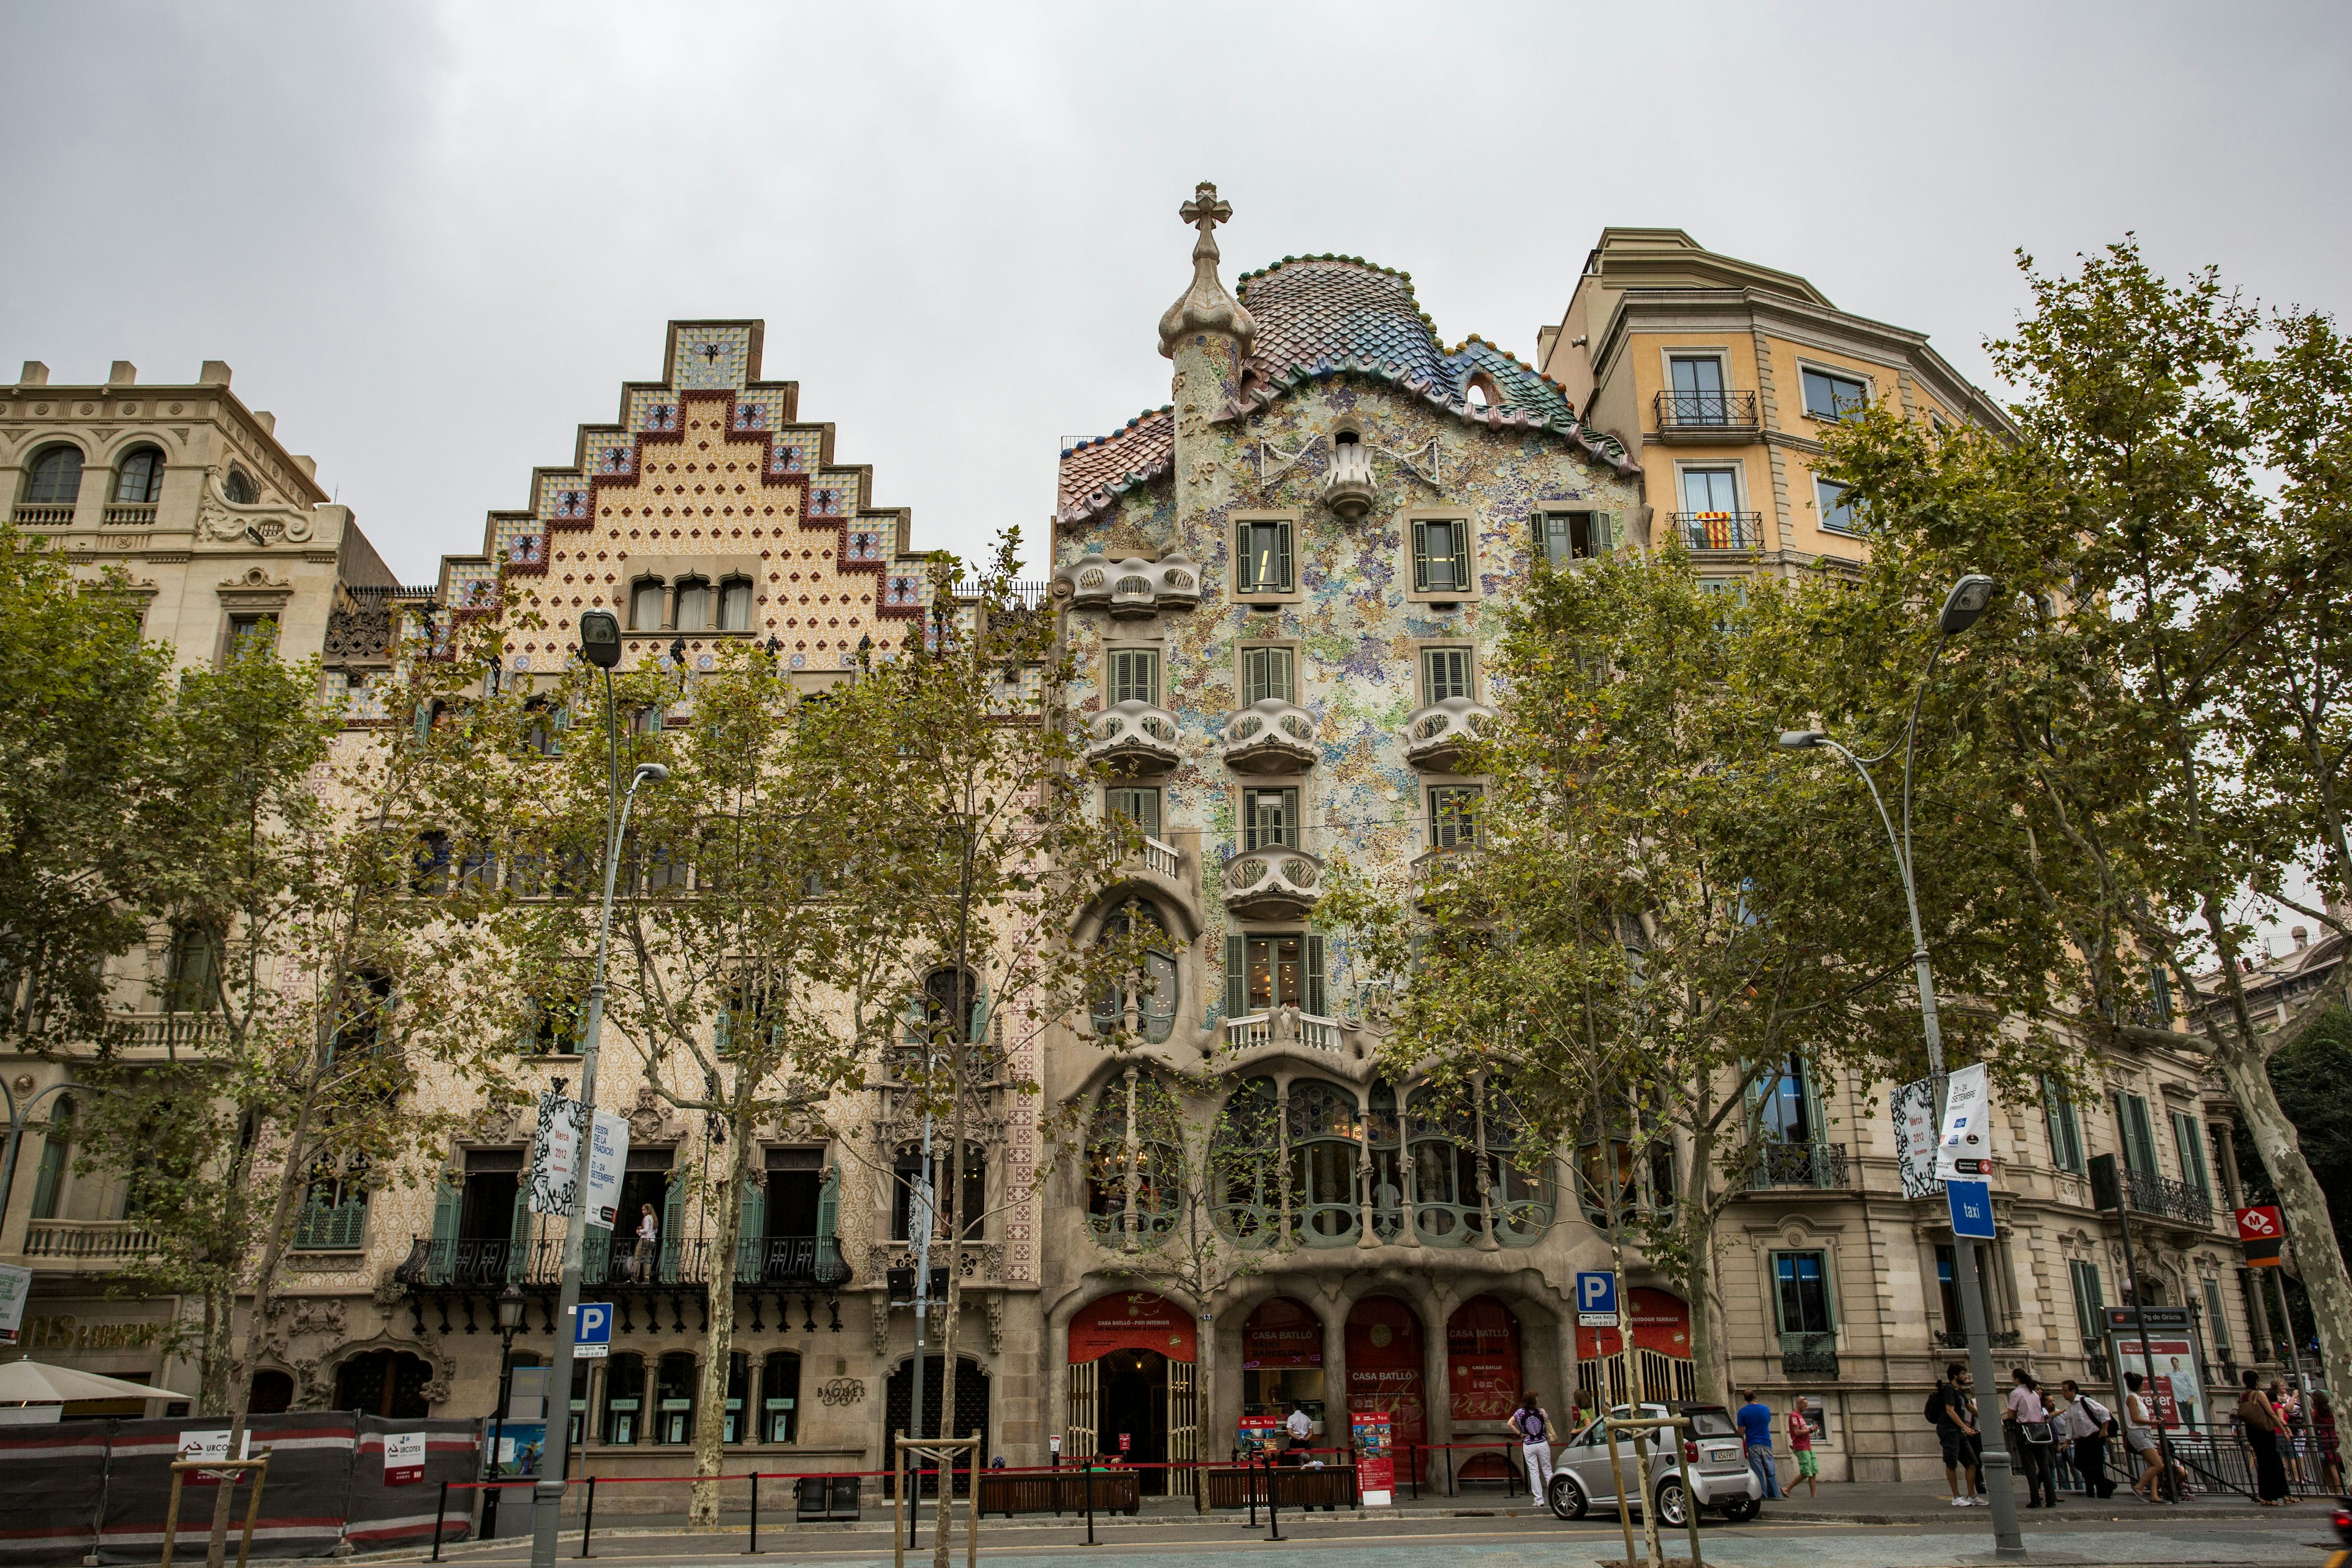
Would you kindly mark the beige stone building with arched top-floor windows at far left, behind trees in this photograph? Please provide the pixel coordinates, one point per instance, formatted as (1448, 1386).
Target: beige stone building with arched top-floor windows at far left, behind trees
(222, 535)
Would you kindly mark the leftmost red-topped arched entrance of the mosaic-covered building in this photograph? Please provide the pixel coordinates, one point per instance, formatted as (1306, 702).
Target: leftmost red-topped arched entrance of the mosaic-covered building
(1132, 1379)
